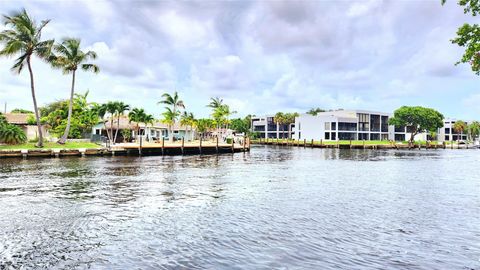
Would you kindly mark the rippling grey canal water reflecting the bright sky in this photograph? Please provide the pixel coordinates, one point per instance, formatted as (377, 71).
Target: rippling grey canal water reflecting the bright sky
(273, 208)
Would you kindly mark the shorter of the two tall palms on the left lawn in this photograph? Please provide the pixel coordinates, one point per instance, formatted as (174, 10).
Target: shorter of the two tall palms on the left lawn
(69, 57)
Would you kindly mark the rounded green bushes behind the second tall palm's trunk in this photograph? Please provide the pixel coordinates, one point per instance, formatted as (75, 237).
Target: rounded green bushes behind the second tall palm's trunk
(84, 116)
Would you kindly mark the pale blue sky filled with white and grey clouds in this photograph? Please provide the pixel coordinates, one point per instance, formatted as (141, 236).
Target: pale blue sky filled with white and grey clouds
(260, 57)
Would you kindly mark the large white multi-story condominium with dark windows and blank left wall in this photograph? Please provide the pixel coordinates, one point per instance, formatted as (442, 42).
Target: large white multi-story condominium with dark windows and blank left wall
(350, 125)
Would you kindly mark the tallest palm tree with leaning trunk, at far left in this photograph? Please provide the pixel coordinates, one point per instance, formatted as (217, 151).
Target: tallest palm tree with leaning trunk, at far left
(25, 38)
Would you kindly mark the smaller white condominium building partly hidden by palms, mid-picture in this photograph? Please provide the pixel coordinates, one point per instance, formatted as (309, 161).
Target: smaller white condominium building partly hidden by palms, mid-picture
(267, 128)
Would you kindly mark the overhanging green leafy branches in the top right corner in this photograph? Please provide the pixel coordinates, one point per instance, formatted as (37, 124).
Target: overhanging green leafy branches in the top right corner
(468, 36)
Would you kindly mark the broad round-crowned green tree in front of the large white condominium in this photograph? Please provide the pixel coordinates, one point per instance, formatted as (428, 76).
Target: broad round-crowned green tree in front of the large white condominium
(420, 119)
